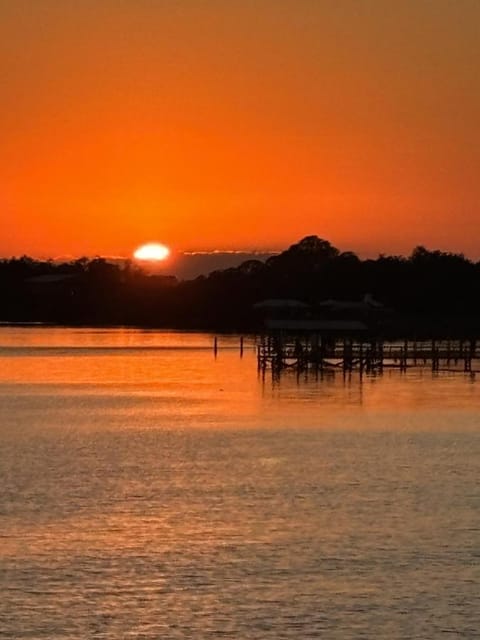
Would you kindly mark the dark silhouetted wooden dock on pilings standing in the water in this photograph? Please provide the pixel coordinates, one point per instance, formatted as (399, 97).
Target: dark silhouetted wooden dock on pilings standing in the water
(279, 352)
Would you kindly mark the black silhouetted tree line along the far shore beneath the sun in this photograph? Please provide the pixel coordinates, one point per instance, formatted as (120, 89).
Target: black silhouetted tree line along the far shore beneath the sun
(427, 291)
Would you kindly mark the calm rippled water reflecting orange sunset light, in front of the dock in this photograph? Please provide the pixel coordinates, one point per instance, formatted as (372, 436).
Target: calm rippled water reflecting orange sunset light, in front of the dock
(149, 490)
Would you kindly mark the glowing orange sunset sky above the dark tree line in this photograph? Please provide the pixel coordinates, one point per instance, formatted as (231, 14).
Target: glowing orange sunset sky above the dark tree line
(239, 124)
